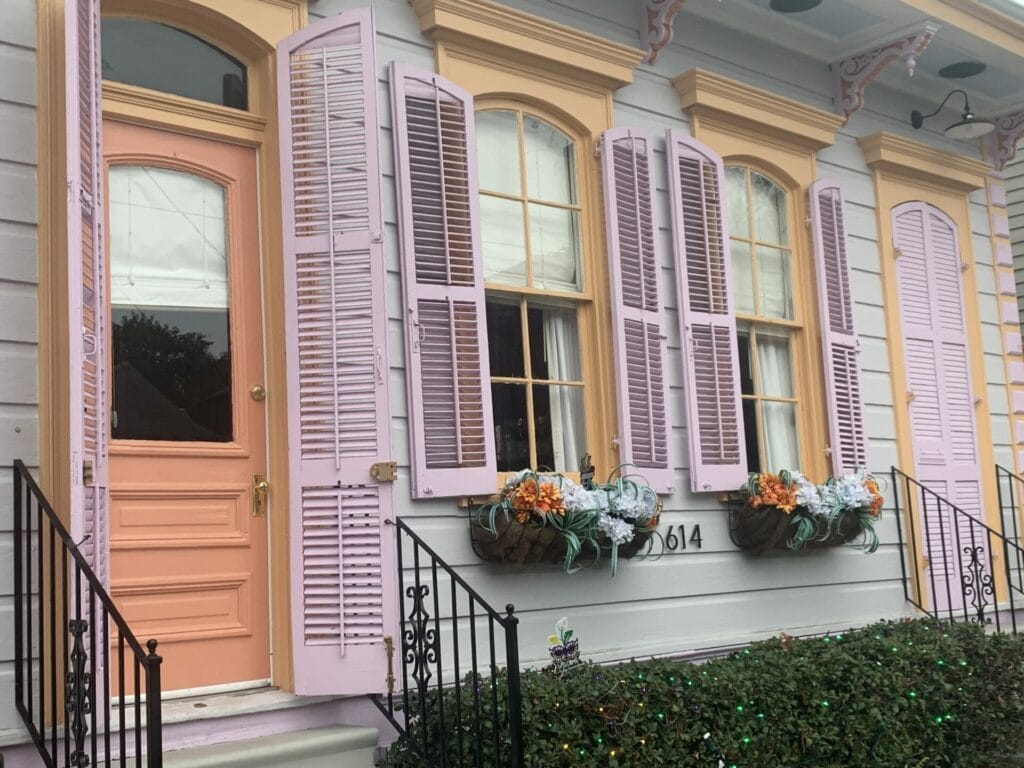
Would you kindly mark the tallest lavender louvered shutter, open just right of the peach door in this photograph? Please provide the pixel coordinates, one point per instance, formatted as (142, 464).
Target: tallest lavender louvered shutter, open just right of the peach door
(343, 551)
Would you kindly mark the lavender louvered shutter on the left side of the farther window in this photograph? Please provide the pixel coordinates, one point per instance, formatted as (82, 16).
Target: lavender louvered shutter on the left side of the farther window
(708, 326)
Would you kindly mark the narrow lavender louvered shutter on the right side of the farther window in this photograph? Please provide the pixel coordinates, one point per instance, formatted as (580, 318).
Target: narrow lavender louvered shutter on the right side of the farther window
(839, 338)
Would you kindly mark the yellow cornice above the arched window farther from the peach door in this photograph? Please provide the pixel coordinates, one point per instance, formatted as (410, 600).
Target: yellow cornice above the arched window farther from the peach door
(758, 114)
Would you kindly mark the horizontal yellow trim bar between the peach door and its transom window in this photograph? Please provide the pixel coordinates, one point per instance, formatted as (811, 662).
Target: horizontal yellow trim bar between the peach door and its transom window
(144, 107)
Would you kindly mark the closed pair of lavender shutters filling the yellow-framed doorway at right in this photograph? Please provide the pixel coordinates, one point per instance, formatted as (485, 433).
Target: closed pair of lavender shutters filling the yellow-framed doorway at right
(942, 404)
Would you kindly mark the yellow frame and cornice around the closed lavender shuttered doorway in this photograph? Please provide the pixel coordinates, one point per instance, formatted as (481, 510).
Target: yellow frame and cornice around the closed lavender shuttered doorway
(902, 184)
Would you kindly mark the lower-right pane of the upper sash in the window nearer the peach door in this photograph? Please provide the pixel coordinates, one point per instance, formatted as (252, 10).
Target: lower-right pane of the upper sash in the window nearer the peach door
(554, 248)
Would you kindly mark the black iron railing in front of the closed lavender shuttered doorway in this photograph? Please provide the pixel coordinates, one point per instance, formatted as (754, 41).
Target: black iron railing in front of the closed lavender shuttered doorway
(954, 563)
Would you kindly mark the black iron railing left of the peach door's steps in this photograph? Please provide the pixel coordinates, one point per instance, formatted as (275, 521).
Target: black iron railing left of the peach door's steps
(88, 692)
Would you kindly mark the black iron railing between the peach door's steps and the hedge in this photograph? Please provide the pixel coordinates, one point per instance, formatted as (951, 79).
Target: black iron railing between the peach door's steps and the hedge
(454, 704)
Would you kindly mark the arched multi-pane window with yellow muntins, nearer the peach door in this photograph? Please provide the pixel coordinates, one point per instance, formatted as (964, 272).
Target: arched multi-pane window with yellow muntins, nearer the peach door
(533, 261)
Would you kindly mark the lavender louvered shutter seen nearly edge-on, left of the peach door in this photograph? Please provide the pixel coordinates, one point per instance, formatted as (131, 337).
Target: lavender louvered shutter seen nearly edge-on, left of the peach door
(90, 428)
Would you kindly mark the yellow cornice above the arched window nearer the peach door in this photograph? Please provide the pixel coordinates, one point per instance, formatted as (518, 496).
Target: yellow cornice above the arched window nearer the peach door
(530, 40)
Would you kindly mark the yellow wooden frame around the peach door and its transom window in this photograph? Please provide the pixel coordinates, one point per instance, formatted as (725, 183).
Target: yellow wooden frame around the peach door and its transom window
(249, 30)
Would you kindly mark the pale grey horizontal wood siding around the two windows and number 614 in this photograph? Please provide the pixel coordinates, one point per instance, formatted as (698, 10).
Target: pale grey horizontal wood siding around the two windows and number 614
(717, 595)
